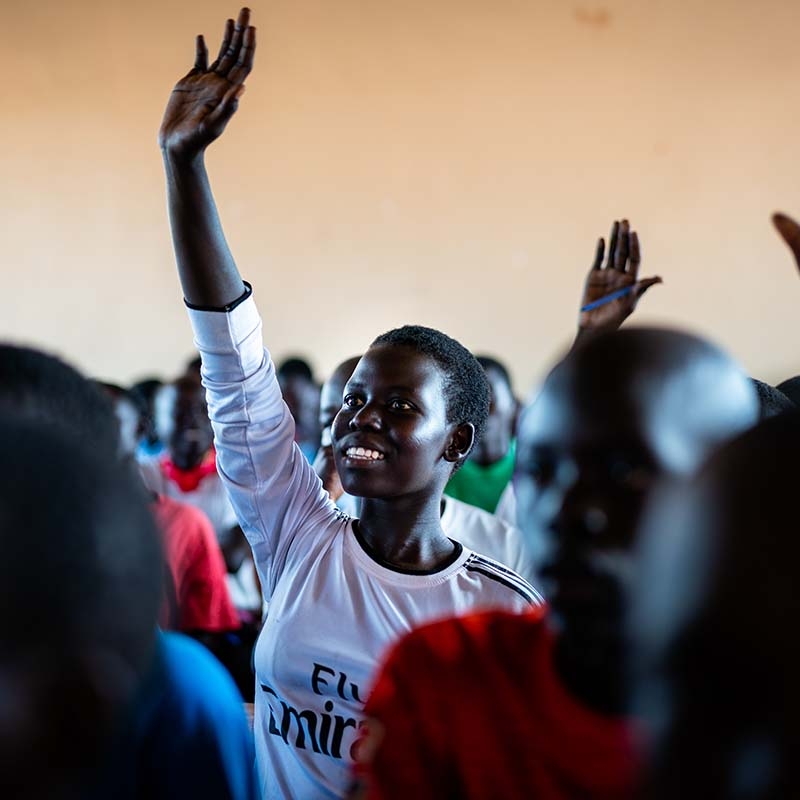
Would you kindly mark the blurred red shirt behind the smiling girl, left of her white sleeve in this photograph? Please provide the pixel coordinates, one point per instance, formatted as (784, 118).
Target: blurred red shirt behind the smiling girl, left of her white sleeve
(197, 567)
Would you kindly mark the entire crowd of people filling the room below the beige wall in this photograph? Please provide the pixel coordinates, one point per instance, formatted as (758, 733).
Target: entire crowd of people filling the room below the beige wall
(234, 582)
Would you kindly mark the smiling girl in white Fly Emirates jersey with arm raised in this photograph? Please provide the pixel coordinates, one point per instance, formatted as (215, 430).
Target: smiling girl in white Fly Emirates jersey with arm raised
(339, 590)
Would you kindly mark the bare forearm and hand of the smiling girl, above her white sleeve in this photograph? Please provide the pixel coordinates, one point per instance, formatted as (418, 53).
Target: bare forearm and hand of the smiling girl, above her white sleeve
(198, 110)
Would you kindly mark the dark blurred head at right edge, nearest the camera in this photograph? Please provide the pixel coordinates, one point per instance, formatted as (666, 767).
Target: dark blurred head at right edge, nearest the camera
(714, 615)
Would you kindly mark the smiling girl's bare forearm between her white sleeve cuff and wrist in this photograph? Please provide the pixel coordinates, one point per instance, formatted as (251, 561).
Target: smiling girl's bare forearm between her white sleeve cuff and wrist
(209, 276)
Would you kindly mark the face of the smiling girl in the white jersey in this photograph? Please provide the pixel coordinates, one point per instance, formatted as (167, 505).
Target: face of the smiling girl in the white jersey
(391, 434)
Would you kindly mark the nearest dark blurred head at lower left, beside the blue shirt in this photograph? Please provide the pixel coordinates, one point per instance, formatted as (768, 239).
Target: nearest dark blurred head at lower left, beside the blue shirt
(79, 594)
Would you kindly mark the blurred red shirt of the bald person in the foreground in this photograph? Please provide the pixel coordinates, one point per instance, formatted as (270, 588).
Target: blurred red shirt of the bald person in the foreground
(472, 708)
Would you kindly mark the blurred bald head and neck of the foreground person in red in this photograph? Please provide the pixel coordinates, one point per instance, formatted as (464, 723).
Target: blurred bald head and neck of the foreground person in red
(618, 415)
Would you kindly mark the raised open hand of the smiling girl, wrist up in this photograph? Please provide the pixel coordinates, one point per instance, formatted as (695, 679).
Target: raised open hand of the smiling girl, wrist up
(202, 103)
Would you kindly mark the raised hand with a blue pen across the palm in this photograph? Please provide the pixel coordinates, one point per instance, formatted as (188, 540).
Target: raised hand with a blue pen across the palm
(612, 291)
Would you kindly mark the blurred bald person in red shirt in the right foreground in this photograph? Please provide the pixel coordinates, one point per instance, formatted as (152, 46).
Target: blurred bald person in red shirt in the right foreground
(536, 706)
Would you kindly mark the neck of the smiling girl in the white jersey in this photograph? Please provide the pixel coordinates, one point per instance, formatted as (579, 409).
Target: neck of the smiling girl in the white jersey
(405, 532)
